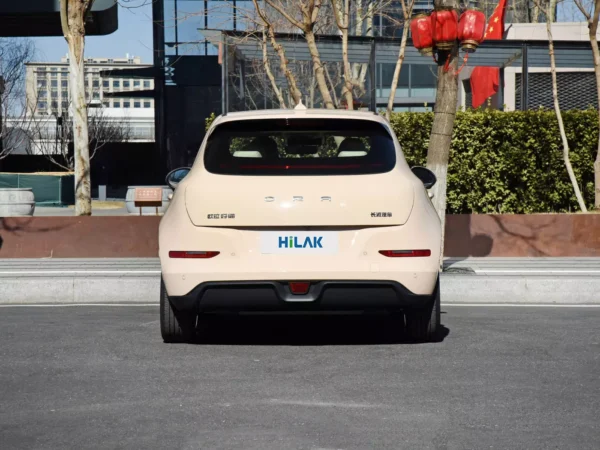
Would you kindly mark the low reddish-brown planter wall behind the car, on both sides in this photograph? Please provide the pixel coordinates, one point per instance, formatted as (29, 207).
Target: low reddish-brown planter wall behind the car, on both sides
(536, 235)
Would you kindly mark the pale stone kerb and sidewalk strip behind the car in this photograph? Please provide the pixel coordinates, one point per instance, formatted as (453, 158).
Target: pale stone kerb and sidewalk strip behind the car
(565, 281)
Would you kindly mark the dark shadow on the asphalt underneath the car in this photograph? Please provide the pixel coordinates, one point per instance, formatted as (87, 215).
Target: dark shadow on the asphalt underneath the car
(304, 330)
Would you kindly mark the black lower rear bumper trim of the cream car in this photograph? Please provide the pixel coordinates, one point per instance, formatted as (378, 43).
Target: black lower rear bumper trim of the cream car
(276, 296)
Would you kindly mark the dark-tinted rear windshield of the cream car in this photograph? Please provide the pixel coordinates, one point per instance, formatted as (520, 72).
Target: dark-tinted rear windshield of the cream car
(300, 147)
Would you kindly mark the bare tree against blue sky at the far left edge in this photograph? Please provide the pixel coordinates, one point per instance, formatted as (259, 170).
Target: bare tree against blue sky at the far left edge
(14, 113)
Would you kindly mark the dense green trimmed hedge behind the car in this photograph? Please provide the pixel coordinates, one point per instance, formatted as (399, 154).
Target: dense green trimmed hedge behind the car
(508, 162)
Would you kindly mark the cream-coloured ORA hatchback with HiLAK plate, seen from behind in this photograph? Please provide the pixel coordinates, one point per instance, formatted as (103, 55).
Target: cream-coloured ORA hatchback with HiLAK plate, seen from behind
(300, 210)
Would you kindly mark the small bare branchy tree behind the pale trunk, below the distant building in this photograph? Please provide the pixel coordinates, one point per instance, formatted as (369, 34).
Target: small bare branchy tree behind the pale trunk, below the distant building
(53, 136)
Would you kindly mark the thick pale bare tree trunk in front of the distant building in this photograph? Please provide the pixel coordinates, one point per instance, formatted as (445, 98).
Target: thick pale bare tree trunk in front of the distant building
(73, 14)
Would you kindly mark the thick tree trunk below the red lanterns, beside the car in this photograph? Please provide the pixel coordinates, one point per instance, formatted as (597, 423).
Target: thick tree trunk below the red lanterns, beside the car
(438, 152)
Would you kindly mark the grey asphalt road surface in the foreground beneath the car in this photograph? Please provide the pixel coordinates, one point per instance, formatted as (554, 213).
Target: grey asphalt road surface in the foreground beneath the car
(100, 377)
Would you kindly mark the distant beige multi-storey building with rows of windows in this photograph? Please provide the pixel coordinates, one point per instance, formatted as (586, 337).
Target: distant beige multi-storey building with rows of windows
(47, 85)
